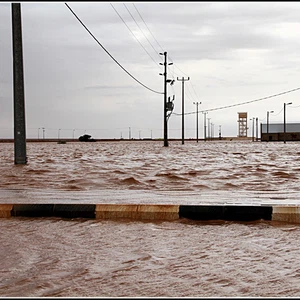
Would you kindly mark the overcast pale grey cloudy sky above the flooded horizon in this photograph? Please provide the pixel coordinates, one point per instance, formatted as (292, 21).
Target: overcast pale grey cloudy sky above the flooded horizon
(233, 52)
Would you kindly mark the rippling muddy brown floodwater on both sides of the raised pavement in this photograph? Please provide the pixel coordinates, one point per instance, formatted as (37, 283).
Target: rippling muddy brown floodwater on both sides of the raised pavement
(53, 257)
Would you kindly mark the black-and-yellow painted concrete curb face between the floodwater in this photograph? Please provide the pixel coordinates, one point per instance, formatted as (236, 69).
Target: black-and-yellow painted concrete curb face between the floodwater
(290, 214)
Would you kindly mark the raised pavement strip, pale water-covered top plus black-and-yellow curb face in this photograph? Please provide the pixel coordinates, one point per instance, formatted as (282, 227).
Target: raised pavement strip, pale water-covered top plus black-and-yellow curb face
(152, 205)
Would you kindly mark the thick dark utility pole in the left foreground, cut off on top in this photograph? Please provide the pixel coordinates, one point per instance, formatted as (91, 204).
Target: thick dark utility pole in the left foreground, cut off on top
(18, 79)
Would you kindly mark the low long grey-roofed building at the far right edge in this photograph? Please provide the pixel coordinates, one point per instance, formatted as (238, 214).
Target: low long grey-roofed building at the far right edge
(275, 132)
